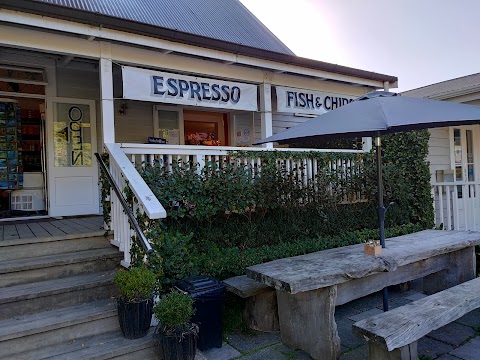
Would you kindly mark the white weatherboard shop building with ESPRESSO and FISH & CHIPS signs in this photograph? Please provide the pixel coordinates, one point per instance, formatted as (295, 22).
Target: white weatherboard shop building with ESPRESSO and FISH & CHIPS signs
(86, 74)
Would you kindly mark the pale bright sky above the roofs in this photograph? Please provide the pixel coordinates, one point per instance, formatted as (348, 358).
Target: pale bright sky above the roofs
(419, 41)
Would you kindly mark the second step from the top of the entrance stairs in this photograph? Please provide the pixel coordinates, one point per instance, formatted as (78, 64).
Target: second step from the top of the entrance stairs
(47, 267)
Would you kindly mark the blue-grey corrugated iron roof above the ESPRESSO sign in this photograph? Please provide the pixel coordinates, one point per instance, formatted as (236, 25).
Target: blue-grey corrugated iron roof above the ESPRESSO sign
(226, 20)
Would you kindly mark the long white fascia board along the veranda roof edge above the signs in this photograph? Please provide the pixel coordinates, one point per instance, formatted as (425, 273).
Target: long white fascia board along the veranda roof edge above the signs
(89, 31)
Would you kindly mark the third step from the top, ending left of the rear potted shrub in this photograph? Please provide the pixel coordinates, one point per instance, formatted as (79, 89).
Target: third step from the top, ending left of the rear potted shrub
(40, 296)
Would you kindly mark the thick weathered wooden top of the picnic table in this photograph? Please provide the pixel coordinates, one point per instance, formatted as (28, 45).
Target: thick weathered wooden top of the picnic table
(334, 266)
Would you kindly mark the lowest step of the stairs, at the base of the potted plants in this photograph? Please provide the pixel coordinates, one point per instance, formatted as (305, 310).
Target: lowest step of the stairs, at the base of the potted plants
(110, 345)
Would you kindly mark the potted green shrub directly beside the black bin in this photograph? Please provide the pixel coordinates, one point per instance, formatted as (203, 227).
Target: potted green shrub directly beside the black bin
(176, 335)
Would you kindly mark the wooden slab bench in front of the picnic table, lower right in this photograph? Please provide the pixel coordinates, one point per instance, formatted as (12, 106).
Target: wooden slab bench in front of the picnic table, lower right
(394, 334)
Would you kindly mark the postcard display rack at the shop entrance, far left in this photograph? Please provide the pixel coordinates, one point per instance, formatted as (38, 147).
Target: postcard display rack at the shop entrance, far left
(11, 164)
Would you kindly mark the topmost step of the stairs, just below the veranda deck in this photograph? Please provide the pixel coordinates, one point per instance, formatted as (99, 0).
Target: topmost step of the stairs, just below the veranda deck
(18, 249)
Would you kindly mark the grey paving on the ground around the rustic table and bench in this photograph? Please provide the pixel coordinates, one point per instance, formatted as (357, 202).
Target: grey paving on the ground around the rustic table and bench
(458, 340)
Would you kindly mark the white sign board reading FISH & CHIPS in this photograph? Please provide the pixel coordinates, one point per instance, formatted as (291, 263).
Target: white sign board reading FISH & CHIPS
(308, 101)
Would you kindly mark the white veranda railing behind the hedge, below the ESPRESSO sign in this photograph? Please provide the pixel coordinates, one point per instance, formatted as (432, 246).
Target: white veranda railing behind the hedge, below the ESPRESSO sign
(305, 170)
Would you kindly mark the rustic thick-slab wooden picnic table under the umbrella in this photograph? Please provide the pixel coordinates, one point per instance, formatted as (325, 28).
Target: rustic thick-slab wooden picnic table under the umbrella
(310, 286)
